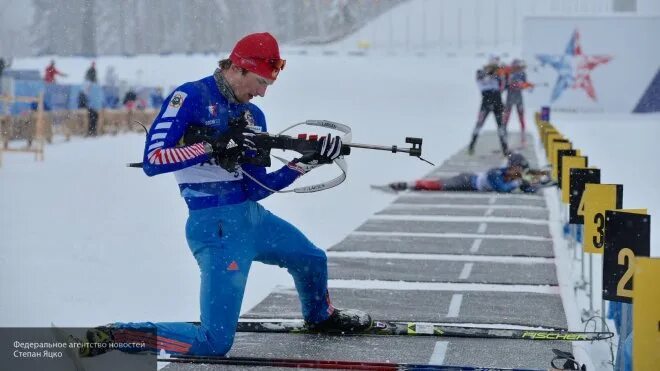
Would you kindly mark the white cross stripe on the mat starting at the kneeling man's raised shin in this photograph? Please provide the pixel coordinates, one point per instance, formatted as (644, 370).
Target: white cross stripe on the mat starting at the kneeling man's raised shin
(440, 286)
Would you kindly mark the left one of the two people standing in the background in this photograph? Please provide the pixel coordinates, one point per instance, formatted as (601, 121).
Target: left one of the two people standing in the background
(491, 84)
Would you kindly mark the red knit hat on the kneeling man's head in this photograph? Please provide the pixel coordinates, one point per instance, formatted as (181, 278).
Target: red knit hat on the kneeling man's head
(258, 53)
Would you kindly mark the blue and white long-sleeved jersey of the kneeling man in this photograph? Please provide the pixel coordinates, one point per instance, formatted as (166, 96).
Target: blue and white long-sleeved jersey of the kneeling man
(201, 181)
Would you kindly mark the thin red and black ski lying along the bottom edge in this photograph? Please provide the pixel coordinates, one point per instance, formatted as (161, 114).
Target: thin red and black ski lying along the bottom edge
(327, 364)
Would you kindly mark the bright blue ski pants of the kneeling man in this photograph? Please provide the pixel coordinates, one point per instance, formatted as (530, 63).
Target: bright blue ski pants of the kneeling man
(225, 241)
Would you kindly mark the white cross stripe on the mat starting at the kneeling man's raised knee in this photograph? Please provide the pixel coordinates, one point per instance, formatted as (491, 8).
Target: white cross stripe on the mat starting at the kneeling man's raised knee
(441, 257)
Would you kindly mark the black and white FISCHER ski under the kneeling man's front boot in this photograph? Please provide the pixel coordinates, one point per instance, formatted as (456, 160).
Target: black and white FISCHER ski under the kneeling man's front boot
(430, 329)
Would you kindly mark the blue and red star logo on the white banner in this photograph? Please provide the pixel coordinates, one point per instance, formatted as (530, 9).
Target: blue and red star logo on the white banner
(573, 68)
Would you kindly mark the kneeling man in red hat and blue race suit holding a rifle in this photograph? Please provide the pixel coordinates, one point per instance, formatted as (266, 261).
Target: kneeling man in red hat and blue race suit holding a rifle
(227, 229)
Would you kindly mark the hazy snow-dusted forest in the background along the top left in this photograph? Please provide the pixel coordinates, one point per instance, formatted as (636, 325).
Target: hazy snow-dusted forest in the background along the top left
(129, 27)
